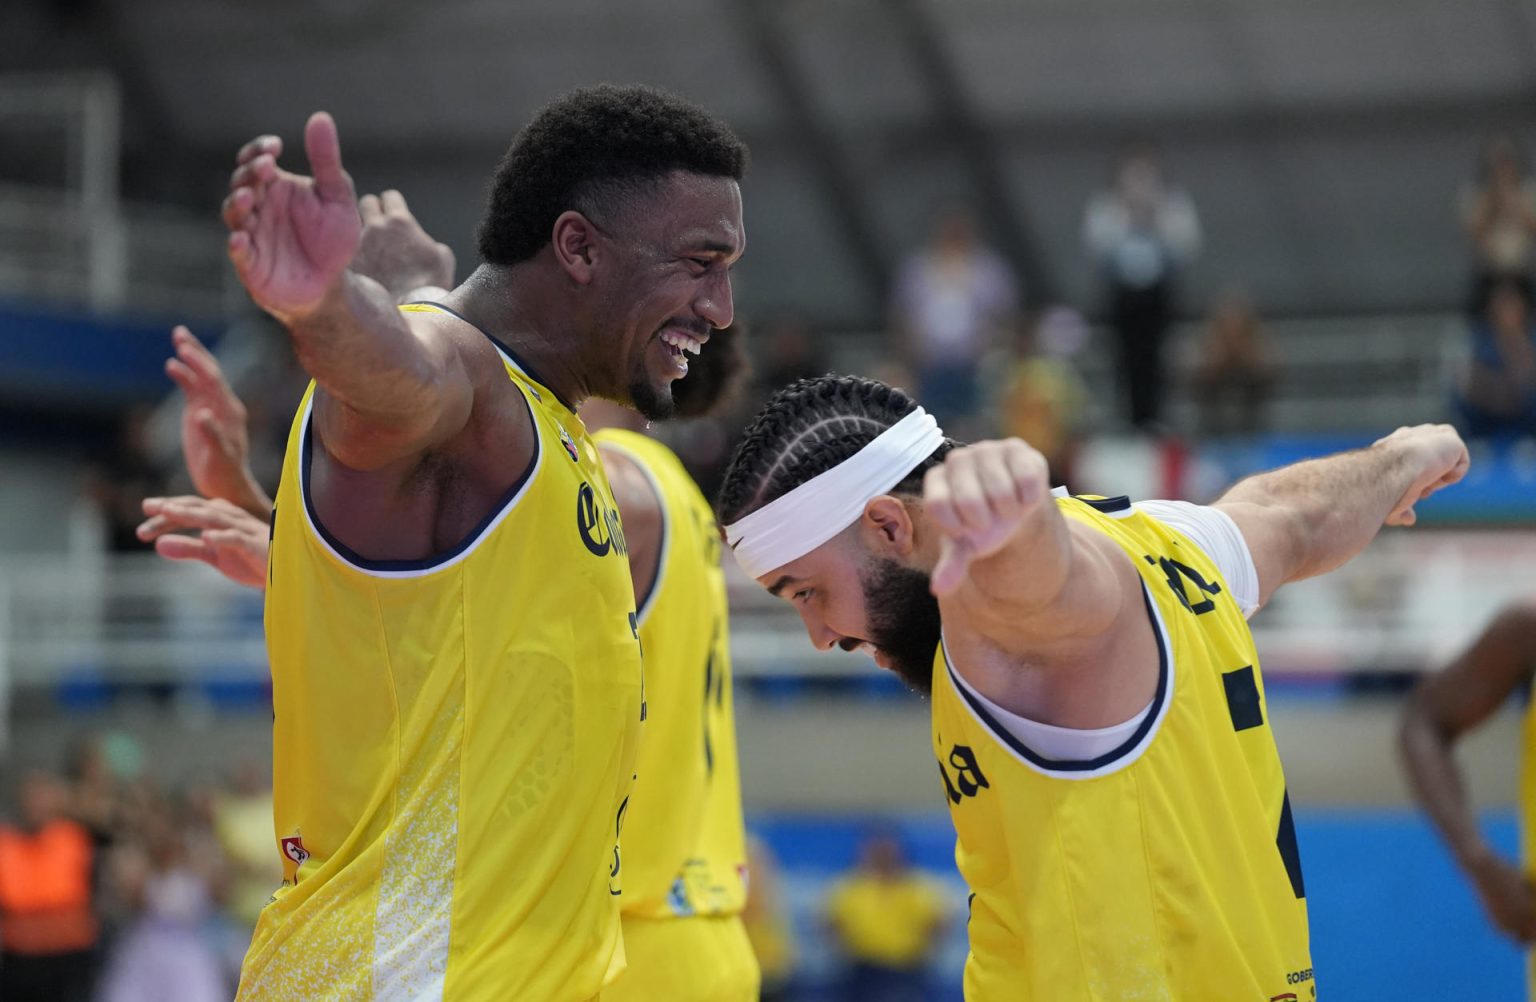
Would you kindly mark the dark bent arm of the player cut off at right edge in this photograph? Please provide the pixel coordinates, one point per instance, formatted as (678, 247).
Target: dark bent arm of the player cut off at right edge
(1446, 706)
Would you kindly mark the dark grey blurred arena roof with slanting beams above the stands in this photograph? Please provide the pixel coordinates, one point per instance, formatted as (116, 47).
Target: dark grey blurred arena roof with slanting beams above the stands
(1323, 141)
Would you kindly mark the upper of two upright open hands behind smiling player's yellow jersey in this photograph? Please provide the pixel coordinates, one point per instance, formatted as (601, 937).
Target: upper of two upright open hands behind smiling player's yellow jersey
(214, 440)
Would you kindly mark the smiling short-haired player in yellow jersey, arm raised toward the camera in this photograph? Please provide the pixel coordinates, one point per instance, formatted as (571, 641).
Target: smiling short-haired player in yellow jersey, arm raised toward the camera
(451, 620)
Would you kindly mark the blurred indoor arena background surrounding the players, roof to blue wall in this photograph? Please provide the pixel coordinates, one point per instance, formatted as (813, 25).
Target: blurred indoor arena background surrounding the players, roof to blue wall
(1322, 159)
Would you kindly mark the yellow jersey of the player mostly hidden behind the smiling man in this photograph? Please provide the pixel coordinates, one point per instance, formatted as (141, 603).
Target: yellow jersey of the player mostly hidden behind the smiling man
(684, 841)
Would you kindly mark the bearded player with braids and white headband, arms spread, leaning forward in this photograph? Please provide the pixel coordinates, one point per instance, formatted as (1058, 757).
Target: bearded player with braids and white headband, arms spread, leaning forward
(1097, 709)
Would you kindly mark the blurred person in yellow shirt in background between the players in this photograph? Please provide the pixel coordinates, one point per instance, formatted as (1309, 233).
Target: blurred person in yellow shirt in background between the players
(889, 920)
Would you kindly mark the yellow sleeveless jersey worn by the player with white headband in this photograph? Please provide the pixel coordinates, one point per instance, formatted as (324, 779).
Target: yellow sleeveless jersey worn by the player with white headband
(1164, 871)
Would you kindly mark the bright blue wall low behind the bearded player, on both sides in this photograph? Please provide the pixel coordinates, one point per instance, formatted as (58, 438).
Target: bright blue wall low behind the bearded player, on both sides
(1391, 915)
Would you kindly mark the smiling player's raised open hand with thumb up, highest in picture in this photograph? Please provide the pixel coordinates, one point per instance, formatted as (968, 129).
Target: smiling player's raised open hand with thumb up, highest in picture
(291, 237)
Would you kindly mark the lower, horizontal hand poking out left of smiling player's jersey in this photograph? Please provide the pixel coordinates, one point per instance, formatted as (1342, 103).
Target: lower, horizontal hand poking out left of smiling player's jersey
(231, 540)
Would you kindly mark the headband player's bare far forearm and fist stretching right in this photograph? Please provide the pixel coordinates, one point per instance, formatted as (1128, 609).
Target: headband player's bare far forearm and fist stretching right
(1309, 519)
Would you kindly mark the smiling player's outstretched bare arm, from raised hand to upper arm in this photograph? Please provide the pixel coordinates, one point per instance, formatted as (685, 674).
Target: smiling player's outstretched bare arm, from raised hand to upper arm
(391, 387)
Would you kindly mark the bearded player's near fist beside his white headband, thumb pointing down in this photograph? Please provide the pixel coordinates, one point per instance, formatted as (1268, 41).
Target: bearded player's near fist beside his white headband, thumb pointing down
(979, 499)
